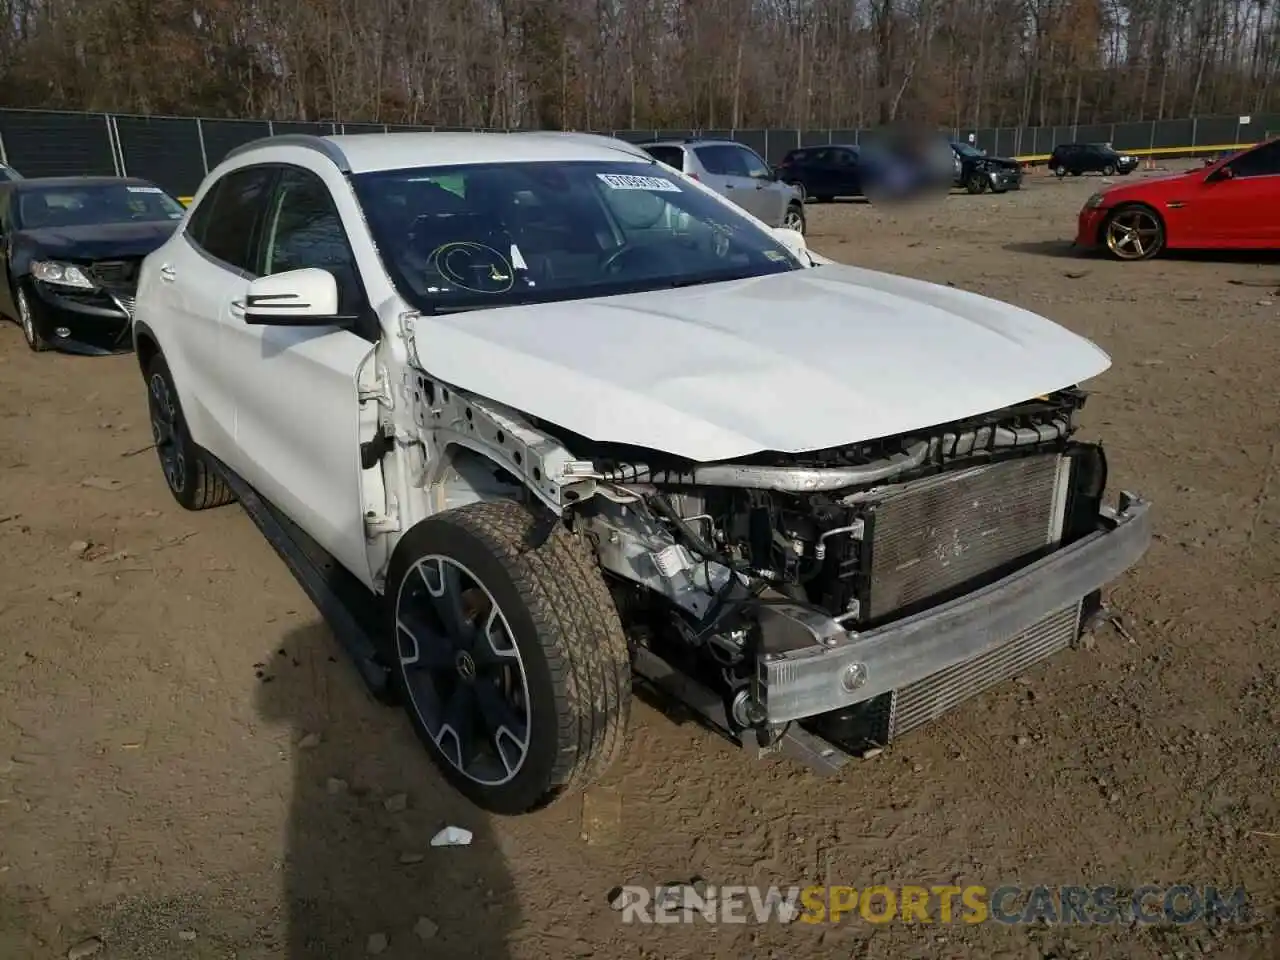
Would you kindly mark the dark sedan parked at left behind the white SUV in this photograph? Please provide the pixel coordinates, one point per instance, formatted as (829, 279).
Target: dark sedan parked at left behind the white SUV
(72, 252)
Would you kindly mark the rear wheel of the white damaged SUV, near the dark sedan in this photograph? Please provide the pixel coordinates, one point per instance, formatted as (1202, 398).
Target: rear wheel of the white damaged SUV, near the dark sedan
(188, 470)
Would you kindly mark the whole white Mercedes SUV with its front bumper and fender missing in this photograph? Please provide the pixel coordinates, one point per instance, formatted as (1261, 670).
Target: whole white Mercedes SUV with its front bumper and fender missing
(534, 418)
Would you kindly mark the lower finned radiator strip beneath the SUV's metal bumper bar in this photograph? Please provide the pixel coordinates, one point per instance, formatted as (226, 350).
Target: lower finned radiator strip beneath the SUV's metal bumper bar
(929, 700)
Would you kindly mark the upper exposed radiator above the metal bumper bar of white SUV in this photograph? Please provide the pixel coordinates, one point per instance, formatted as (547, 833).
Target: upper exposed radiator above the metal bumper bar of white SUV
(963, 529)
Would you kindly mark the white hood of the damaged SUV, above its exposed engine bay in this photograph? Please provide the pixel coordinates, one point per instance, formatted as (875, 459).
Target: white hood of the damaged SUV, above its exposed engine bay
(789, 363)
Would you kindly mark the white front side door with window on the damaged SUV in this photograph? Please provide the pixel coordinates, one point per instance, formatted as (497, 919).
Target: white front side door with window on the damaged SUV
(298, 417)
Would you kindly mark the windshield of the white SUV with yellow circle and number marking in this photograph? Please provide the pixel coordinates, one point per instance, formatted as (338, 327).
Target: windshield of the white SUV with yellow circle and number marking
(496, 235)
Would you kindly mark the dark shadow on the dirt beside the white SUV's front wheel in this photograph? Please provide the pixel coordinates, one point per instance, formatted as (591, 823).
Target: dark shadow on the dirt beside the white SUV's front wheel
(360, 874)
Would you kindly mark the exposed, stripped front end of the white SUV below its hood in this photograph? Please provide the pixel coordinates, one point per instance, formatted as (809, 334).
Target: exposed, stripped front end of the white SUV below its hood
(828, 602)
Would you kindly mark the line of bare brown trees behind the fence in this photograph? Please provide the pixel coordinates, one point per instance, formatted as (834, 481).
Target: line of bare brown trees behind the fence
(612, 65)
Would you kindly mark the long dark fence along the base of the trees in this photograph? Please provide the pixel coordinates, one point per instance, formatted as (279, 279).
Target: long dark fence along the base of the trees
(176, 153)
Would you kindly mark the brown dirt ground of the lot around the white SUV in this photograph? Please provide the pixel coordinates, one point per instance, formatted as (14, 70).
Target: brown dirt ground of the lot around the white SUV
(163, 684)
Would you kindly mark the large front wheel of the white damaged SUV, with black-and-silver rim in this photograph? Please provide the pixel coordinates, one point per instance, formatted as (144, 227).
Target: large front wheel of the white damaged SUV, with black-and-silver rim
(564, 696)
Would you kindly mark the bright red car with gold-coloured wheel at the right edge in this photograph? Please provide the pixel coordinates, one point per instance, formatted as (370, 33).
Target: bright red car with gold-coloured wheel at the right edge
(1233, 204)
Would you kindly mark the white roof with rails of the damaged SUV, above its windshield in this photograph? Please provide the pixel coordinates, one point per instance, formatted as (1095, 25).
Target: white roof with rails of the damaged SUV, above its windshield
(369, 153)
